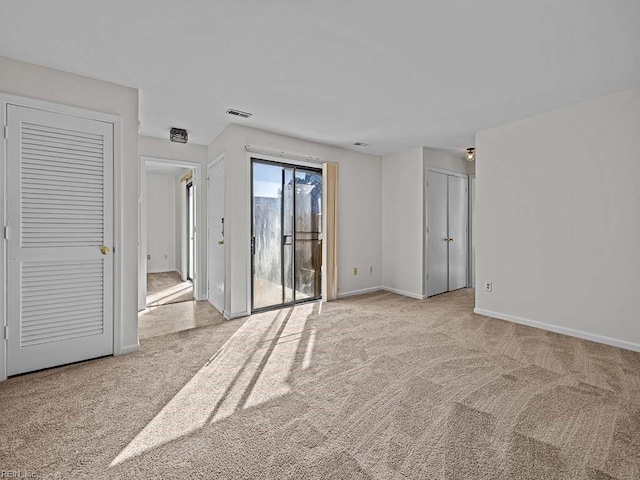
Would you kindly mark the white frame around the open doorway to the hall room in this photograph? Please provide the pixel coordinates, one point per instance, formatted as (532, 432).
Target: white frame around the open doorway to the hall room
(142, 247)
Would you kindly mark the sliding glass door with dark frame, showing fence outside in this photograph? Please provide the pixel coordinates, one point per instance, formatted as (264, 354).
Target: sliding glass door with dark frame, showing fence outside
(286, 242)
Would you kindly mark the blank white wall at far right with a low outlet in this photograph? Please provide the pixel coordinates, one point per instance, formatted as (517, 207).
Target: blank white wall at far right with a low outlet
(558, 234)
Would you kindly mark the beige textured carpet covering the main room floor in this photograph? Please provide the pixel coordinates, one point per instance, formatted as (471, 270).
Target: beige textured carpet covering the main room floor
(377, 386)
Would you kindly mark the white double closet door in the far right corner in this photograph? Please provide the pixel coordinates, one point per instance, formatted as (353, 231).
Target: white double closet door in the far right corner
(447, 247)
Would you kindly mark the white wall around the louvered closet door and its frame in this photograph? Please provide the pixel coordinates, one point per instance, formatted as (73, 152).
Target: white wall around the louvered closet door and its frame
(28, 80)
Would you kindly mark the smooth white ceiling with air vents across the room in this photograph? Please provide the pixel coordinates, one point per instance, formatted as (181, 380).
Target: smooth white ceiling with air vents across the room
(394, 74)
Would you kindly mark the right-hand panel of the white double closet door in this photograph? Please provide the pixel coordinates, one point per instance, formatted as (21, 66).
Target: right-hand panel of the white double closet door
(457, 232)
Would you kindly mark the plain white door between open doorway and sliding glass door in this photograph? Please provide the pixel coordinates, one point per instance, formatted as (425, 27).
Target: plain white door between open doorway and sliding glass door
(215, 209)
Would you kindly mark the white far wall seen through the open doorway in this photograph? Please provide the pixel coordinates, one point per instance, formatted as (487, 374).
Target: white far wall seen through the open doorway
(161, 223)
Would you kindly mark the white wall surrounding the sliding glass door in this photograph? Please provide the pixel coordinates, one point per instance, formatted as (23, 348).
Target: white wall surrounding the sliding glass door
(359, 214)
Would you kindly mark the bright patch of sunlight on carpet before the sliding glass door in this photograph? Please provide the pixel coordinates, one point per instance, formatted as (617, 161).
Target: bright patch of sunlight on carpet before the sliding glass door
(250, 369)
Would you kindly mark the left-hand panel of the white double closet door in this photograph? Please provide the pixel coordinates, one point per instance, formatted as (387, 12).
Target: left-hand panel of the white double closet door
(437, 244)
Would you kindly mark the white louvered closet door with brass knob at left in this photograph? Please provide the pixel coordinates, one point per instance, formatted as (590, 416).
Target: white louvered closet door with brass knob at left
(60, 215)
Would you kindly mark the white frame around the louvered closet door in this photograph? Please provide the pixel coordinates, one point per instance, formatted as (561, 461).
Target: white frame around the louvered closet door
(116, 122)
